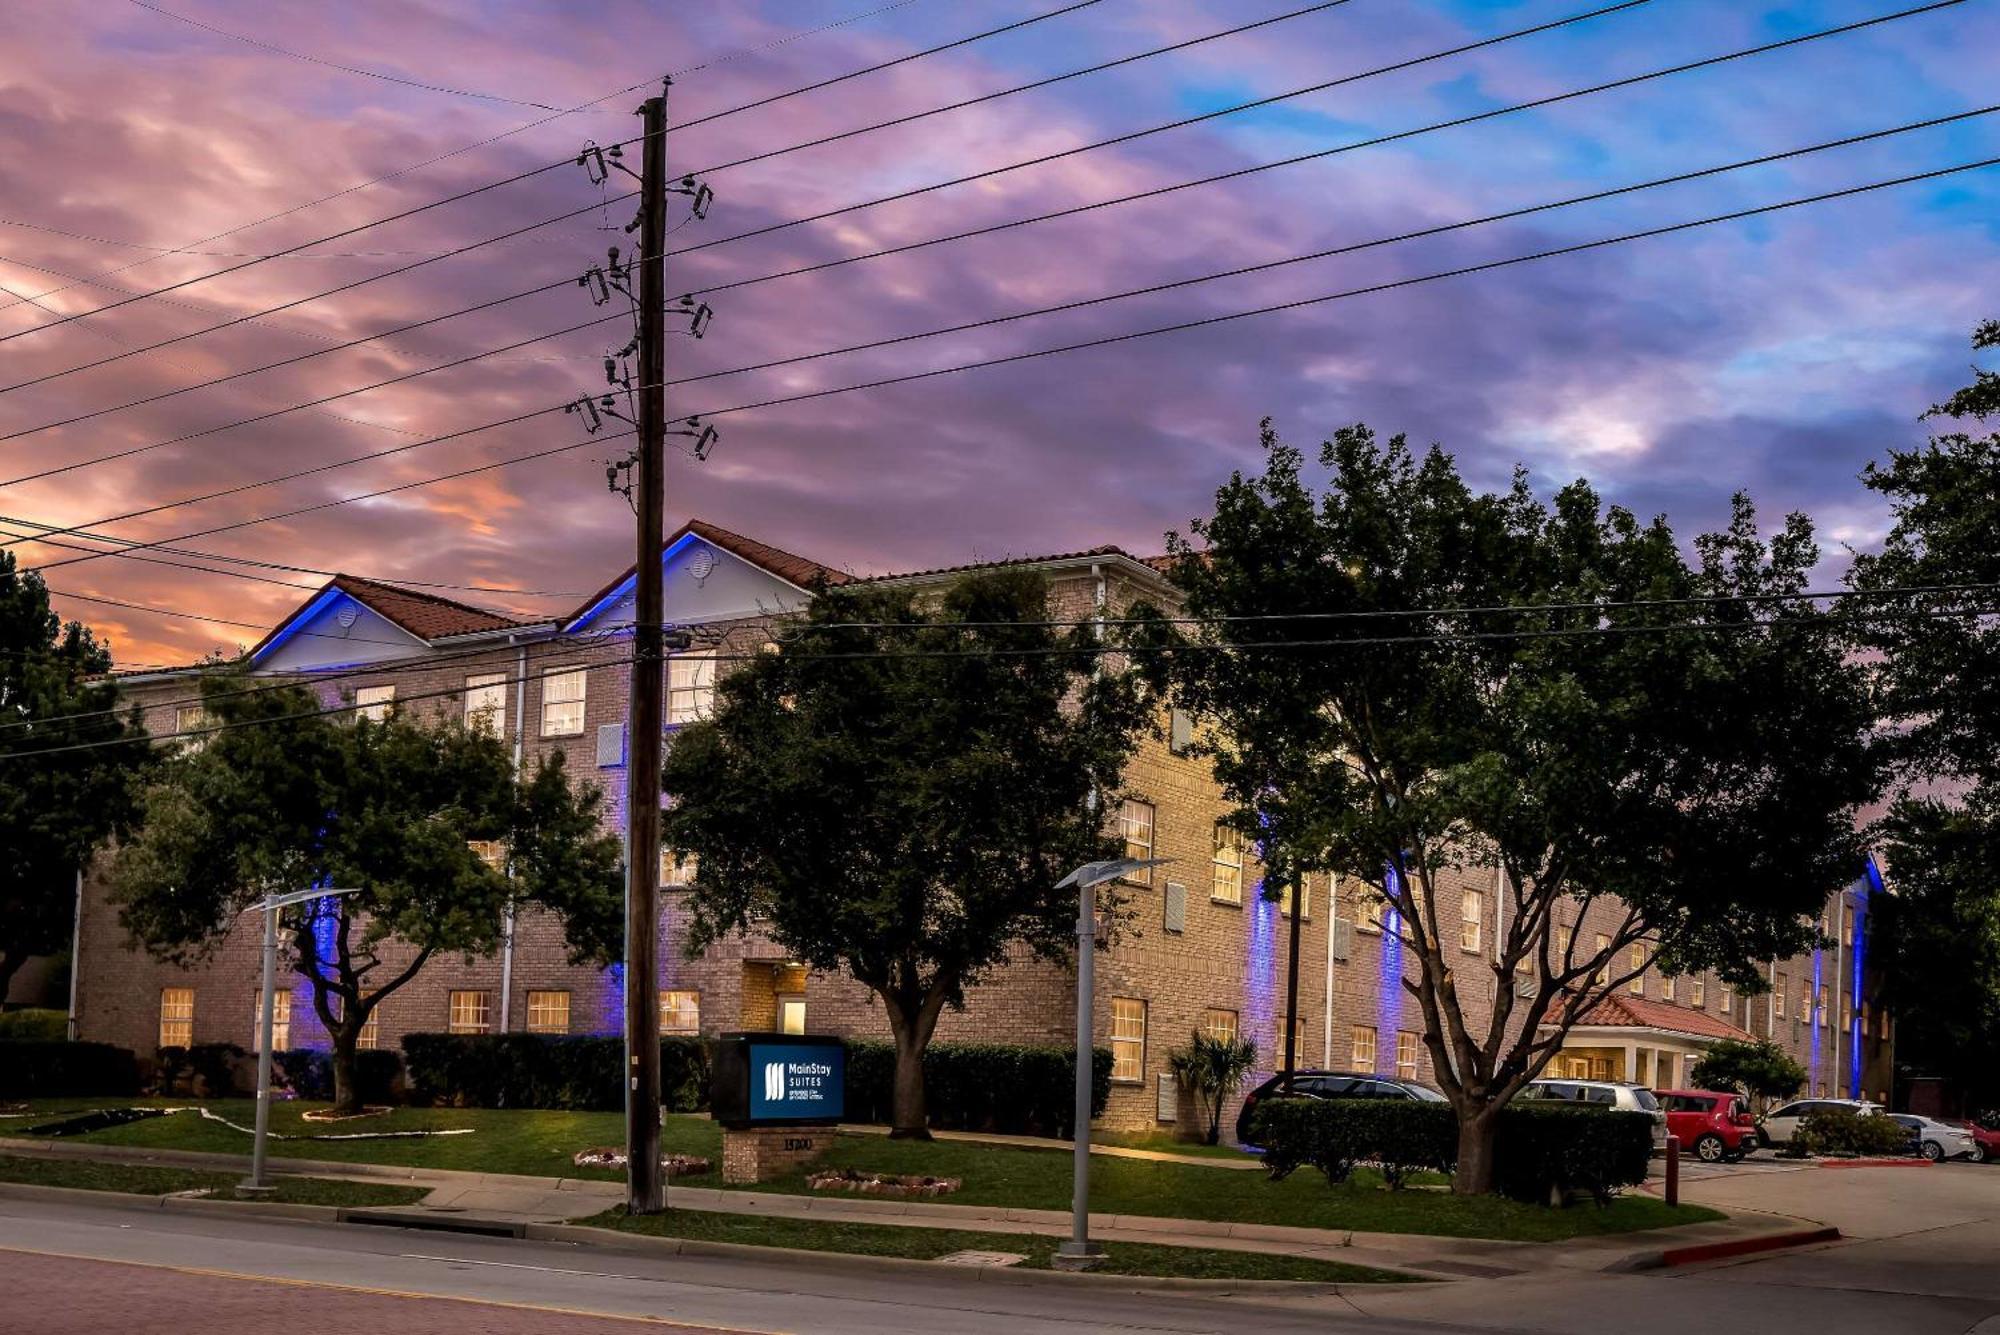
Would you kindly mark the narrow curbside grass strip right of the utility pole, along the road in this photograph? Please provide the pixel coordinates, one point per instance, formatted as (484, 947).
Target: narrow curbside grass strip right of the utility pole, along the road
(883, 1240)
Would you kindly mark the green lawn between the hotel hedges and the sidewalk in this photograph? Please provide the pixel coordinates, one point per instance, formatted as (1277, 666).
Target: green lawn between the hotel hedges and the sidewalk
(543, 1142)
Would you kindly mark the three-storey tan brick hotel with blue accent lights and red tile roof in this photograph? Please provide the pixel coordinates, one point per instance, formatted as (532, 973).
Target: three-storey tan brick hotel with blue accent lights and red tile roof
(1209, 952)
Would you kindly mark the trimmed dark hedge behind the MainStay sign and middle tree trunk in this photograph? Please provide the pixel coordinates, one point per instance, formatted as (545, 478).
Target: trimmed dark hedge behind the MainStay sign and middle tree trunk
(1007, 1088)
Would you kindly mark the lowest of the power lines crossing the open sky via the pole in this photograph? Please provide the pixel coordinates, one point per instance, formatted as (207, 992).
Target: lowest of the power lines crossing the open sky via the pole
(1083, 345)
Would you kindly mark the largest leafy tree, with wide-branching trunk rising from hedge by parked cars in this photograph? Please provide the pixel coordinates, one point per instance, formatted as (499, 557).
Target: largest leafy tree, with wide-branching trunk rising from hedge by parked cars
(1671, 738)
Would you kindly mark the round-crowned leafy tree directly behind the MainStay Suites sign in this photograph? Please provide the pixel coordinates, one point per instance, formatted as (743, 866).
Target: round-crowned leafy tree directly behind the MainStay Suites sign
(899, 788)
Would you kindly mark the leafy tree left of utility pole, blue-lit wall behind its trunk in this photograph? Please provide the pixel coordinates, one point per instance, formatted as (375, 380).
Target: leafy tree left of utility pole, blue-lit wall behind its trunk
(279, 800)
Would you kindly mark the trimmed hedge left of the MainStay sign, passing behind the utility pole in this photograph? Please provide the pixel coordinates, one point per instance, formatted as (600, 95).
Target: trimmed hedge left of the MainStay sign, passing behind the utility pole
(531, 1070)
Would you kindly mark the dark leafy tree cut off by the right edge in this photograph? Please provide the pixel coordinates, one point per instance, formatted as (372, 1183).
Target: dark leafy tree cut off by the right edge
(1937, 674)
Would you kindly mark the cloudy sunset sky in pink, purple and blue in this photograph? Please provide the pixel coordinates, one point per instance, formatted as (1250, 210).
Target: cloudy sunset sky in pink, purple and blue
(1775, 355)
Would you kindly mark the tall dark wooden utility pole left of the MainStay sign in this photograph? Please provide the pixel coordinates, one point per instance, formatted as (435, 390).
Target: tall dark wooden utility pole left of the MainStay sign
(645, 1178)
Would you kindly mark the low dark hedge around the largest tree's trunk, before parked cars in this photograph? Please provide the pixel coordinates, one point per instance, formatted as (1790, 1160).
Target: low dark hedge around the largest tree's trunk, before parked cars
(1543, 1150)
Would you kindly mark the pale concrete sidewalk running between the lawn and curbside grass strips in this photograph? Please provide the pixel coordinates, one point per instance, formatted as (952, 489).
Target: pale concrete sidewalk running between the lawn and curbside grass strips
(505, 1200)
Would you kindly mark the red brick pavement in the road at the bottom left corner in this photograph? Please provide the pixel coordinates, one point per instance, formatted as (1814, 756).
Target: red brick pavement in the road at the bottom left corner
(61, 1296)
